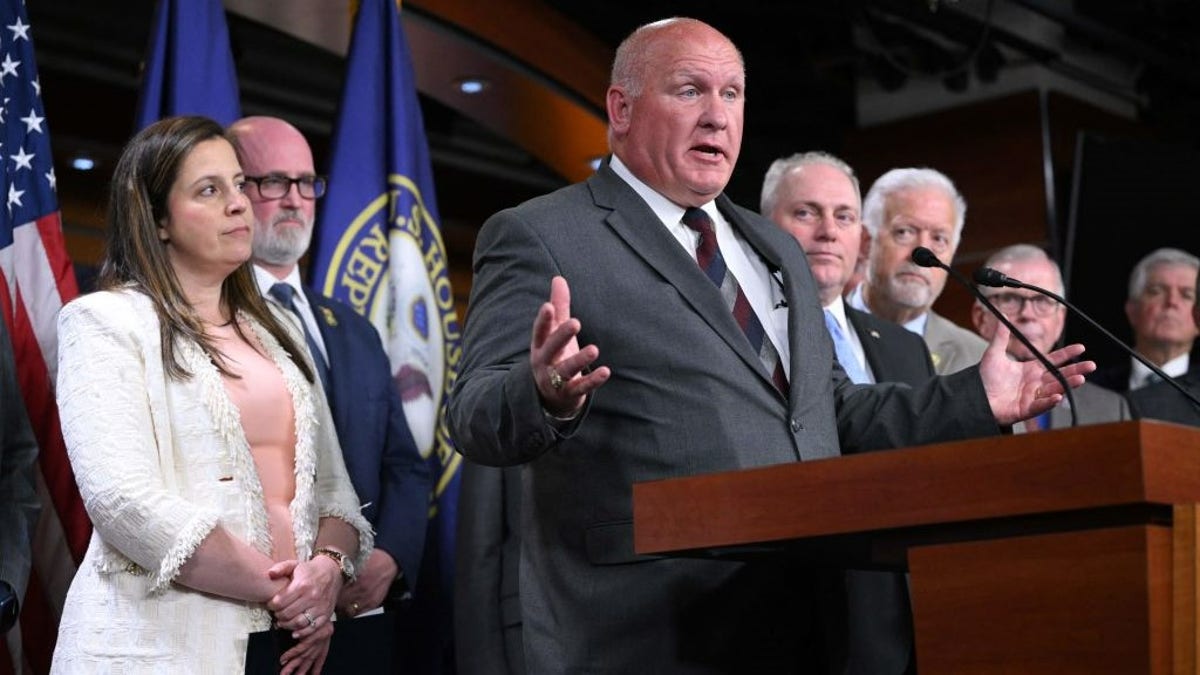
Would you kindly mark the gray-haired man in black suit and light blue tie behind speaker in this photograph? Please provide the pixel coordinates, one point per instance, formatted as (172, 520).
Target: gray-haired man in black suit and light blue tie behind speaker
(815, 198)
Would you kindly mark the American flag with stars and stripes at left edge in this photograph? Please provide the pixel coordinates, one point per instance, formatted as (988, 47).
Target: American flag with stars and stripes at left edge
(35, 282)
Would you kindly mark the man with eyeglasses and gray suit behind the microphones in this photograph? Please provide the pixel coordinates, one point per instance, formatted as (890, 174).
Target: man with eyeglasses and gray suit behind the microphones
(1042, 320)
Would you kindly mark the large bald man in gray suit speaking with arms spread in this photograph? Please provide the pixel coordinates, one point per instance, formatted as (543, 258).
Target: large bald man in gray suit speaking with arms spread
(639, 371)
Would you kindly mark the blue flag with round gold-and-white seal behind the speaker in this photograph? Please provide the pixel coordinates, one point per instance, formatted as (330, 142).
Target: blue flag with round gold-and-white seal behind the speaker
(379, 248)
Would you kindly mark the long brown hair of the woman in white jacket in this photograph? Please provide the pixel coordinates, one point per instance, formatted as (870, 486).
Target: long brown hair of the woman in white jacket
(136, 256)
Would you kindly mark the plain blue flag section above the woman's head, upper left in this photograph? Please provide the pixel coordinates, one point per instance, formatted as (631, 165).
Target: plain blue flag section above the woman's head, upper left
(189, 69)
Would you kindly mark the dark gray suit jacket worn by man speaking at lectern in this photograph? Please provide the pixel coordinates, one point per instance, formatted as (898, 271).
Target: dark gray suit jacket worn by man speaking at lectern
(687, 396)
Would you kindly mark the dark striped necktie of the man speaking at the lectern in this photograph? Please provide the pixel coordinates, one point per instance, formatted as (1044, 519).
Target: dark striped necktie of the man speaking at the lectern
(709, 256)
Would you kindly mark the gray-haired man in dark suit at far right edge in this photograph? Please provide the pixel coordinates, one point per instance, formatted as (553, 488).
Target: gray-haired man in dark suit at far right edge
(1162, 297)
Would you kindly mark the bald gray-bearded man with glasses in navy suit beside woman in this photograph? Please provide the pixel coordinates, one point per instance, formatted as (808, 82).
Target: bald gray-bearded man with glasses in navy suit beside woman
(386, 467)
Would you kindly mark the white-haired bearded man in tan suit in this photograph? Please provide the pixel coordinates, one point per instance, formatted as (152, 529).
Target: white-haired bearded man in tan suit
(904, 210)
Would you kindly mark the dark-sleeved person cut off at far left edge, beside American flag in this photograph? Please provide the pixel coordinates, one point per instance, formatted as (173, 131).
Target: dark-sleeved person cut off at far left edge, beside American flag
(19, 489)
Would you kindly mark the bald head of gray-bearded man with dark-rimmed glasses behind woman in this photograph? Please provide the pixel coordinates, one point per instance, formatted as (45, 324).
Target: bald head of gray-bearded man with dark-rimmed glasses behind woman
(273, 148)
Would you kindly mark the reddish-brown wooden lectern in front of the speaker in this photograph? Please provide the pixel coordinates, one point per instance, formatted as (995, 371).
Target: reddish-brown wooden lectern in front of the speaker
(1060, 552)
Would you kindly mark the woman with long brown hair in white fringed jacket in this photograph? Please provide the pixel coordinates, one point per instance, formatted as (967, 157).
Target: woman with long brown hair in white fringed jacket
(203, 450)
